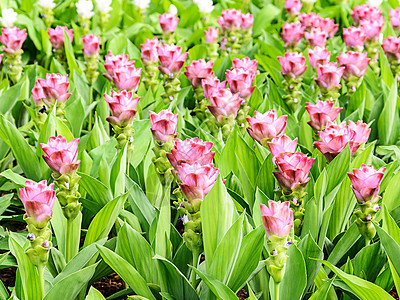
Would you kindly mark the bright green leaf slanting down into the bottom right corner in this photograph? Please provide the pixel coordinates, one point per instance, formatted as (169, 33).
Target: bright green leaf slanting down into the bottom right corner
(362, 288)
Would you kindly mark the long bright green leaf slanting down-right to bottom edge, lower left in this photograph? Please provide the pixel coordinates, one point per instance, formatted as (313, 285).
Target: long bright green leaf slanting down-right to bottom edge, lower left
(127, 272)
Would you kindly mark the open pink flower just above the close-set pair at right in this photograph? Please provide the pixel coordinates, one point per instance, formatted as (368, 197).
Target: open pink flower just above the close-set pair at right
(322, 114)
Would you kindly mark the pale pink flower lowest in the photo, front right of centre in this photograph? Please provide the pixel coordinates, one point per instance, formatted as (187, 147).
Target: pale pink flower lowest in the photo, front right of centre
(277, 218)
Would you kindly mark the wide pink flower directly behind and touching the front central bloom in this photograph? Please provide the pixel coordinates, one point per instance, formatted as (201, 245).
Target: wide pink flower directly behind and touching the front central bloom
(190, 151)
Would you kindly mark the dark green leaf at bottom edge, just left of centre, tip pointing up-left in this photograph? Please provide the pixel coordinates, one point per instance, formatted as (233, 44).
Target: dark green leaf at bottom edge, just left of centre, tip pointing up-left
(173, 281)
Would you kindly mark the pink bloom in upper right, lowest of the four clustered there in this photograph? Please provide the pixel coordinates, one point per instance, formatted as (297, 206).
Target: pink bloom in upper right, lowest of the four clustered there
(329, 76)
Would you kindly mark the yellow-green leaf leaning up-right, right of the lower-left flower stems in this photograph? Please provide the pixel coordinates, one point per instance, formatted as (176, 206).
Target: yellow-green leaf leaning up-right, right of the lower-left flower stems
(104, 220)
